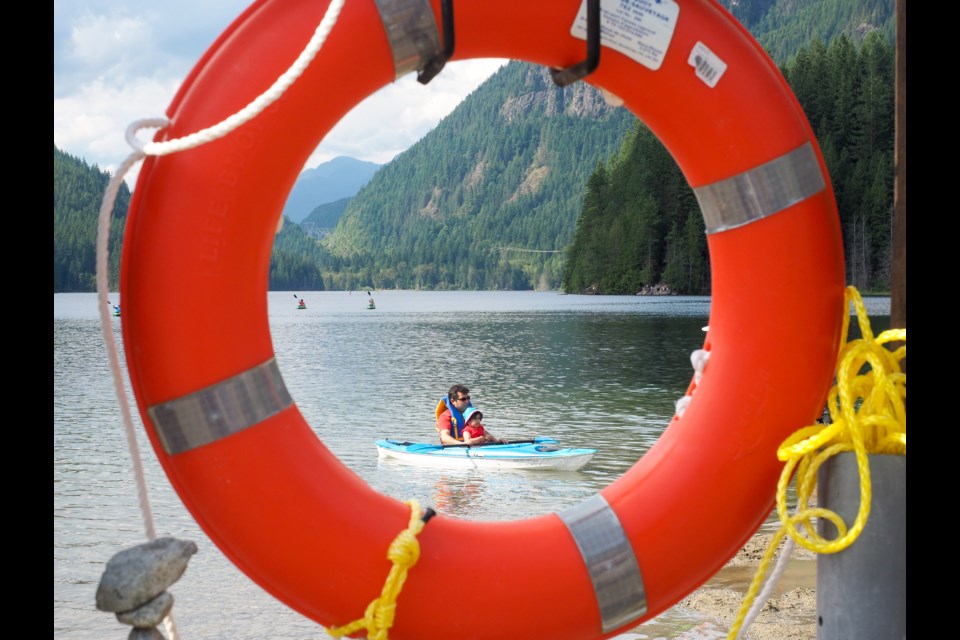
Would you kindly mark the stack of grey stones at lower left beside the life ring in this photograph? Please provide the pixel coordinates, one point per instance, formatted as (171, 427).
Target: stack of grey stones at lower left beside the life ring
(134, 584)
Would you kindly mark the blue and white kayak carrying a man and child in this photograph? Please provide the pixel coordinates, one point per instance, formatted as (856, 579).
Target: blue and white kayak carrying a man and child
(538, 453)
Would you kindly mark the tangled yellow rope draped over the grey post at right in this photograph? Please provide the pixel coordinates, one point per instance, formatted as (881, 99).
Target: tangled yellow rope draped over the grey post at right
(868, 410)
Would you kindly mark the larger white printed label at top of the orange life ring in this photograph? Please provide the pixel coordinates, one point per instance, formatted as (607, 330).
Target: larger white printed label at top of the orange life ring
(640, 29)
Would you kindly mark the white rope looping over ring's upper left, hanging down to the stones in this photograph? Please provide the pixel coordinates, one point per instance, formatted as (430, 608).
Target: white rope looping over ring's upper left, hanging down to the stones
(103, 230)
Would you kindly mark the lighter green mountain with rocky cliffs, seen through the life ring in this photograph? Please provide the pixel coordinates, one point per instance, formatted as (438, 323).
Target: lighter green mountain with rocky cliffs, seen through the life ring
(488, 199)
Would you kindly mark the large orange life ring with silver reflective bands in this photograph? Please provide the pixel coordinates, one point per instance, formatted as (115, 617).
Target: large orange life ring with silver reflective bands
(288, 513)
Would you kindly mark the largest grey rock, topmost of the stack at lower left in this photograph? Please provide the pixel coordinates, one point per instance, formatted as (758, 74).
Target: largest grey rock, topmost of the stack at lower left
(135, 576)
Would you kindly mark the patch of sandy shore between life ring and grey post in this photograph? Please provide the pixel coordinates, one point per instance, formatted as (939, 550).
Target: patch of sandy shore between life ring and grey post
(789, 615)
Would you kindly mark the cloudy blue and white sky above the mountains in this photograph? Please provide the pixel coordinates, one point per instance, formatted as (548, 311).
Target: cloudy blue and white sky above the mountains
(116, 61)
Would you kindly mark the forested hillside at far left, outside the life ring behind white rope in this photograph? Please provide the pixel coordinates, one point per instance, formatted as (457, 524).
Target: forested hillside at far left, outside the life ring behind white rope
(77, 193)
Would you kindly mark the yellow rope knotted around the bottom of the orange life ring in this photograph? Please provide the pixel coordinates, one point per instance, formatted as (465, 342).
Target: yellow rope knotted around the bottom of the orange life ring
(403, 553)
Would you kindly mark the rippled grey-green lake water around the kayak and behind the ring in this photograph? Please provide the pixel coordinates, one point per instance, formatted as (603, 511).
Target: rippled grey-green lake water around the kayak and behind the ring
(609, 368)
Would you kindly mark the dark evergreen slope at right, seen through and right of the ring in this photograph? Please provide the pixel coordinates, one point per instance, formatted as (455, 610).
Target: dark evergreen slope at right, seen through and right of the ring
(641, 226)
